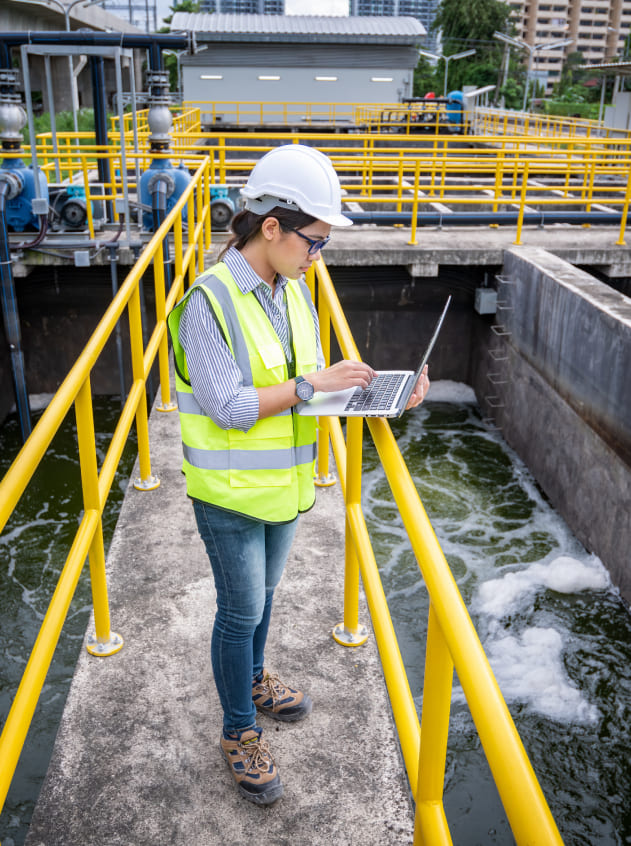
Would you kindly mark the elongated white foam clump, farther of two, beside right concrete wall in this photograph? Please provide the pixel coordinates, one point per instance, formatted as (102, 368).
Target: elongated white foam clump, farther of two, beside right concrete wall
(565, 574)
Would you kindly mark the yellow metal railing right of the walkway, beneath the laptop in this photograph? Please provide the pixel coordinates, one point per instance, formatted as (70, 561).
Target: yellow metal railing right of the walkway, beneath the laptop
(452, 642)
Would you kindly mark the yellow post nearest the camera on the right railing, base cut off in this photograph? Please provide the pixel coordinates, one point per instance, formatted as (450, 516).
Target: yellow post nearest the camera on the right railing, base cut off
(430, 826)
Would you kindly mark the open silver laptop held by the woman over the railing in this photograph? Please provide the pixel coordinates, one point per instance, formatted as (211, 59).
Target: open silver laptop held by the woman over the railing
(386, 396)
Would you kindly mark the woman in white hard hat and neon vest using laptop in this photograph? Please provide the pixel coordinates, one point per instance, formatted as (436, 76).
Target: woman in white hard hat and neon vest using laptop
(247, 350)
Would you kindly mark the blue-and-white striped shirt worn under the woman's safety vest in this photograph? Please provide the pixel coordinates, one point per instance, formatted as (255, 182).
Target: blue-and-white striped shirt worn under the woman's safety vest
(216, 379)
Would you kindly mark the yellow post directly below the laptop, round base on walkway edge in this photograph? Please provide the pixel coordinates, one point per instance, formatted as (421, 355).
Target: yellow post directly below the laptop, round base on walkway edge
(350, 632)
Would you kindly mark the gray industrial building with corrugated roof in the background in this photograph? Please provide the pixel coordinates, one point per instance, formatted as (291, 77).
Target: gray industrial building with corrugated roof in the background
(299, 59)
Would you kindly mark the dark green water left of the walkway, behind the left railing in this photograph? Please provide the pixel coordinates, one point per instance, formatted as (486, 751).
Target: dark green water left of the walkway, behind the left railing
(33, 549)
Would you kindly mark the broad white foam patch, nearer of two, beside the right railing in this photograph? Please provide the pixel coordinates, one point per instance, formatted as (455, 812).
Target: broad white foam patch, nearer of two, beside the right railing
(529, 669)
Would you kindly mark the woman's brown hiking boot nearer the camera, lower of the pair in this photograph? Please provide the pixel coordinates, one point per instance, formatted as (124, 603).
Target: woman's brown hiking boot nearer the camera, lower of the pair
(253, 767)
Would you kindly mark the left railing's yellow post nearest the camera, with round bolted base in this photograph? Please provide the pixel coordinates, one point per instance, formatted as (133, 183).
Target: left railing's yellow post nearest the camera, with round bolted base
(104, 642)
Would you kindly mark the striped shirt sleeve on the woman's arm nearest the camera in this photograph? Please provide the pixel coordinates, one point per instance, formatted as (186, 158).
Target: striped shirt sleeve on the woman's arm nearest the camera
(216, 379)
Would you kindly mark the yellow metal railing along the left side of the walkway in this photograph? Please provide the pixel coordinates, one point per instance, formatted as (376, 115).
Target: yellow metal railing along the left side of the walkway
(75, 391)
